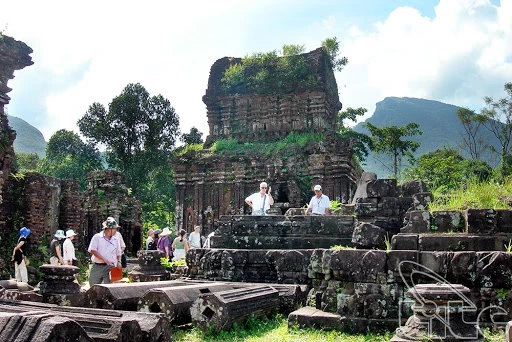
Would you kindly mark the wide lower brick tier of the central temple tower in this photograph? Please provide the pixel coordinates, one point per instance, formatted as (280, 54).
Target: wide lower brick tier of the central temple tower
(209, 186)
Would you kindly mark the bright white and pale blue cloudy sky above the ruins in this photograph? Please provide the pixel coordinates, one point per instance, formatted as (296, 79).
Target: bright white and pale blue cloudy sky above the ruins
(453, 51)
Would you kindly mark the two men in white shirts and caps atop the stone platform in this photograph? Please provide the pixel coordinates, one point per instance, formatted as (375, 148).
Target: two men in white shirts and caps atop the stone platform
(260, 202)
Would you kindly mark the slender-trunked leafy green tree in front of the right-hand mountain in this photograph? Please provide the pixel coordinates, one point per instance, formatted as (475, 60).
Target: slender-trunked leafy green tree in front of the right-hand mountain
(387, 140)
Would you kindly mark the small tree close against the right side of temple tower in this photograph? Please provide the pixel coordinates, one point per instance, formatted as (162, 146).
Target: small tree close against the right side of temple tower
(362, 142)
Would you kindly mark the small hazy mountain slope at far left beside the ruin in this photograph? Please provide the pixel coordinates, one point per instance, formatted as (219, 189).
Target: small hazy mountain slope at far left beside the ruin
(28, 138)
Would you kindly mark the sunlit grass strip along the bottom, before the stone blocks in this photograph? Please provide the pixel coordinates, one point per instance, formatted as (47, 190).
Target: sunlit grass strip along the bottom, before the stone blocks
(276, 329)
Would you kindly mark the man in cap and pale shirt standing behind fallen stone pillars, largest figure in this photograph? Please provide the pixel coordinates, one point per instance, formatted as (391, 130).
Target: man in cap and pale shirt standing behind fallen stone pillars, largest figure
(106, 253)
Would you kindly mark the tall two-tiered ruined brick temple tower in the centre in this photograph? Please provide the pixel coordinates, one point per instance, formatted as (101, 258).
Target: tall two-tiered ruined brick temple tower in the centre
(210, 184)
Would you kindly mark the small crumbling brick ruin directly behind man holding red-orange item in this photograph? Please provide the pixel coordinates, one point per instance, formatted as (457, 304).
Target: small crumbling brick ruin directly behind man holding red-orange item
(107, 195)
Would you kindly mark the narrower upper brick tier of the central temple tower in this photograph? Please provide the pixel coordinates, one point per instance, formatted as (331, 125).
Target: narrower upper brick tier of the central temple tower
(261, 117)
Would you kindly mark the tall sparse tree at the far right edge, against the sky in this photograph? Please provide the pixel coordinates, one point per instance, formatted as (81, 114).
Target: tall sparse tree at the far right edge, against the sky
(499, 121)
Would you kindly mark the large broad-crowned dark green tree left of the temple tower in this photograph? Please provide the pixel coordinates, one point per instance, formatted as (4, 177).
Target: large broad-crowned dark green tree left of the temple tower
(139, 133)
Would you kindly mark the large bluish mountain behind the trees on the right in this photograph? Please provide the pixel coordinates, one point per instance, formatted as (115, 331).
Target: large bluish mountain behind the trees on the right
(438, 121)
